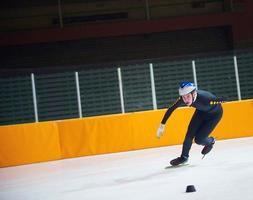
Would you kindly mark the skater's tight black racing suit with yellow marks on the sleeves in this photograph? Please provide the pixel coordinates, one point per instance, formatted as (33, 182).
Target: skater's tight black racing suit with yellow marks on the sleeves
(205, 118)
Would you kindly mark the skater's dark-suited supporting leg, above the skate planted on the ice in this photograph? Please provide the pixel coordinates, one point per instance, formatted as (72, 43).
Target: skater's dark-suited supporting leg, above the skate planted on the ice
(193, 127)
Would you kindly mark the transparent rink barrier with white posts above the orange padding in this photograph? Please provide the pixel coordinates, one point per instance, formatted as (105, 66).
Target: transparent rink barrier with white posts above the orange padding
(121, 89)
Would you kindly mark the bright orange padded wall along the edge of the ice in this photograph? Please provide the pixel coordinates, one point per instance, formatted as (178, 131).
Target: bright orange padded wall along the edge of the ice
(37, 142)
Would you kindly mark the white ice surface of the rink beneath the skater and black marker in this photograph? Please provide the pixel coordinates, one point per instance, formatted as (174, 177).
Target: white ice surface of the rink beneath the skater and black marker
(225, 174)
